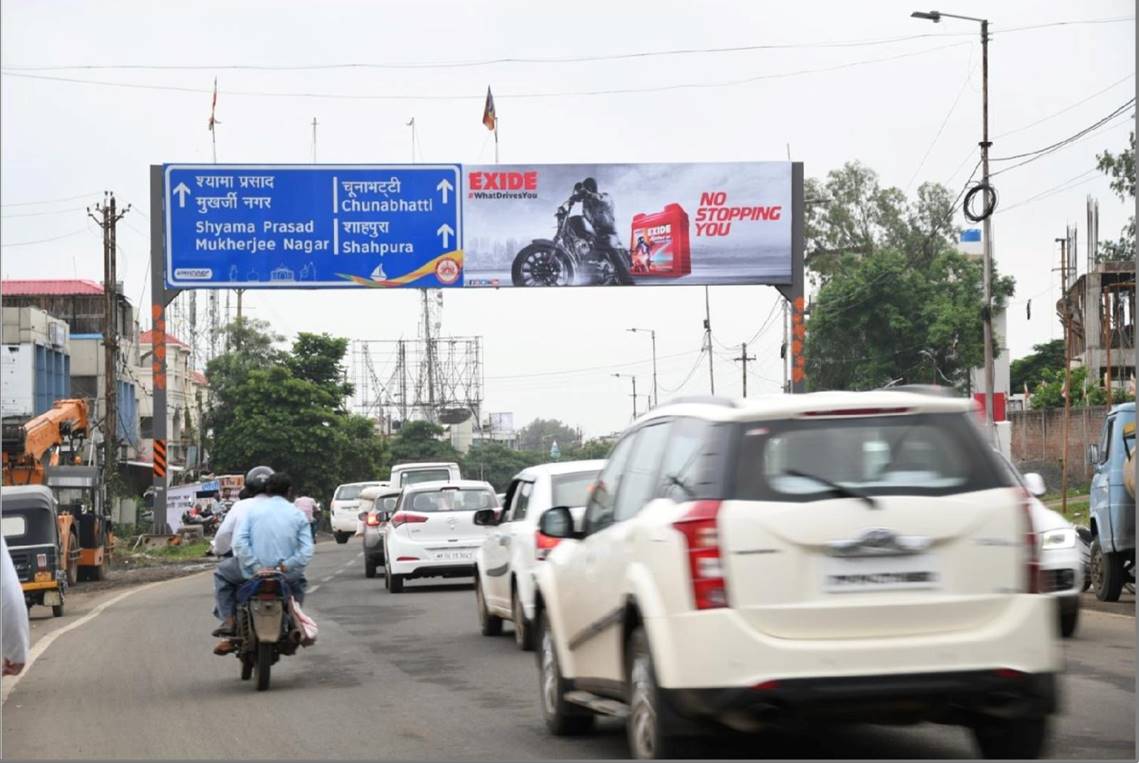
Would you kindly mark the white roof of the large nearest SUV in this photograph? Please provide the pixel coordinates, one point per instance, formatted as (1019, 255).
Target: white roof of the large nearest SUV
(814, 404)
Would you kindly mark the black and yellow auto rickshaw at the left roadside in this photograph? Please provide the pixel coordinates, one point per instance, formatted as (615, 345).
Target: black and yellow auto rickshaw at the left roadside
(28, 520)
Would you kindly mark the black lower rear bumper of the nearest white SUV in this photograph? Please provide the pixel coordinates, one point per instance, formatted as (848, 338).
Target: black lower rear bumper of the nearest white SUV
(954, 698)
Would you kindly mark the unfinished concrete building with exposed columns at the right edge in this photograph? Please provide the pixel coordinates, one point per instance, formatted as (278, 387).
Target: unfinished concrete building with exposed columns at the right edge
(1102, 306)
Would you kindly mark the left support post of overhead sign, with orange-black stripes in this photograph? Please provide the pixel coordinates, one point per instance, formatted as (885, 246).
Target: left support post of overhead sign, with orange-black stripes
(160, 298)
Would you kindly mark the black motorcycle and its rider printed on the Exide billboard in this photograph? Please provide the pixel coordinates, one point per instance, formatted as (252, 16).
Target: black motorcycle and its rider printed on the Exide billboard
(572, 257)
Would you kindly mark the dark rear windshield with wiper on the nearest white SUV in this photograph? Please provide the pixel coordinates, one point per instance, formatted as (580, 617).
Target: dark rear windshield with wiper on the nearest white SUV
(921, 455)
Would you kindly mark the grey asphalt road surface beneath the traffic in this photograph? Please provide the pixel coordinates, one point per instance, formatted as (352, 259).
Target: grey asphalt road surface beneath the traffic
(408, 677)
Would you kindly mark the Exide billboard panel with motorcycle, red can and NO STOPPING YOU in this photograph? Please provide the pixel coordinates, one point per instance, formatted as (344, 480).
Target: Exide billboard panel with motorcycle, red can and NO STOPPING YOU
(627, 225)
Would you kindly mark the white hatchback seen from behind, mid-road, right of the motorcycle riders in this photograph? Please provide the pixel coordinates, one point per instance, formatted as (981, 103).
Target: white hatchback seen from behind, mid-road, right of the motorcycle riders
(433, 532)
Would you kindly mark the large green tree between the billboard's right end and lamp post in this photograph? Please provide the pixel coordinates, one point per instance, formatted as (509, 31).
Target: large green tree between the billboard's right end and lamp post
(897, 300)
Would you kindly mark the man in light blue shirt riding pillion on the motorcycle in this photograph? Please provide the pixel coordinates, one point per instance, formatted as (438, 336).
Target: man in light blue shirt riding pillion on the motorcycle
(275, 535)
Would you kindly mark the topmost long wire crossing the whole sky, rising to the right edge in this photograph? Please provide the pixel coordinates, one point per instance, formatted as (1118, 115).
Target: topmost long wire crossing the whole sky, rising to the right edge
(547, 60)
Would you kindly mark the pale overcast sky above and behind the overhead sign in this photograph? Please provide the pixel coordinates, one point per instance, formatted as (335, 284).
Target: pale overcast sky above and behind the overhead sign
(914, 118)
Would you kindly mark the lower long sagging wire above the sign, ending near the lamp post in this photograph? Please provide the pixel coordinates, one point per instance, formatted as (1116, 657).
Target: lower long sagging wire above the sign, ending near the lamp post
(519, 96)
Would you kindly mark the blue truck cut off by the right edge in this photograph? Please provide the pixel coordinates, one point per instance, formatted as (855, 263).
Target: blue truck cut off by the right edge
(1112, 508)
